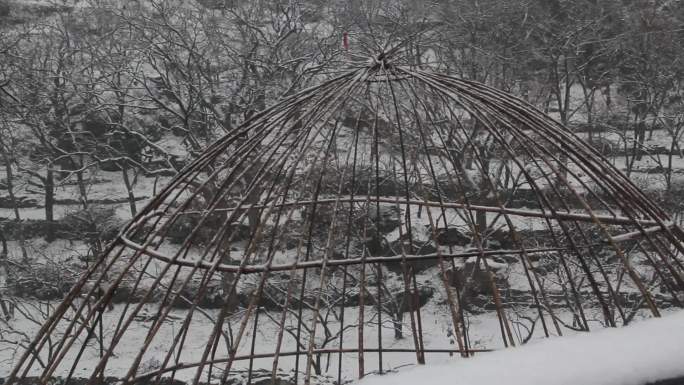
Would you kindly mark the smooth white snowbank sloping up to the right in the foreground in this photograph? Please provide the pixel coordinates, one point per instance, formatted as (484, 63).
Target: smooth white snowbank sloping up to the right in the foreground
(635, 355)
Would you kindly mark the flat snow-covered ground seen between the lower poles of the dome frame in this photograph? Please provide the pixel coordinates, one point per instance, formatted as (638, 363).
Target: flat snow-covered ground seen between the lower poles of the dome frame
(485, 333)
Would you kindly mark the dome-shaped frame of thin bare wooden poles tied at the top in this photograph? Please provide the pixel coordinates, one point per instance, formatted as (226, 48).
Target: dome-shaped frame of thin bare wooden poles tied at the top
(297, 195)
